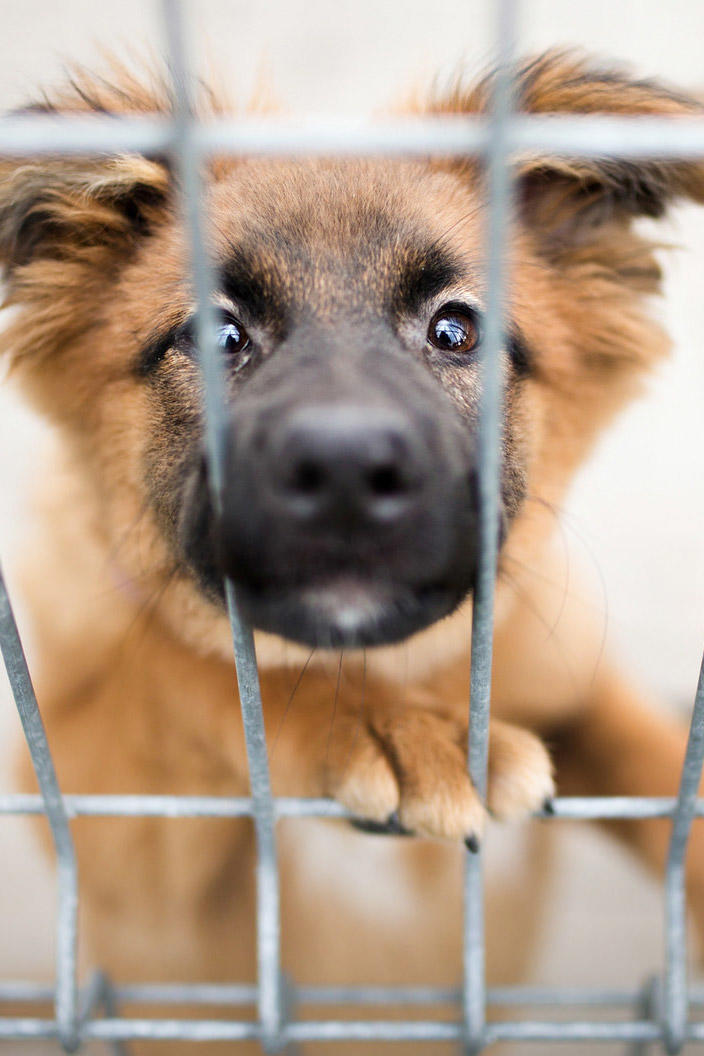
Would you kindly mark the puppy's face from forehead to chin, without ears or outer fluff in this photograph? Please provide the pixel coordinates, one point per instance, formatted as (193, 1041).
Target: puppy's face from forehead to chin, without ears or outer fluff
(351, 335)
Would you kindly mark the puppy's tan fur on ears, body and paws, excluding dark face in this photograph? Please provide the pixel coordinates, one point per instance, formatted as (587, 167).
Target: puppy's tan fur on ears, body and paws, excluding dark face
(135, 669)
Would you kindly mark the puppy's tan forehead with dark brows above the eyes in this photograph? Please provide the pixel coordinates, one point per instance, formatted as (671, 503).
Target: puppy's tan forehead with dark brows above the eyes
(319, 235)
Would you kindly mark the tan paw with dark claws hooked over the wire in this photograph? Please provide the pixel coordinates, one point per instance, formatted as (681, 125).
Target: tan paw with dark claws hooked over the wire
(405, 771)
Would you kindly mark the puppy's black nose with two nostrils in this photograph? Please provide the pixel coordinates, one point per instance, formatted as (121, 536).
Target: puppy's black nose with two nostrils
(347, 462)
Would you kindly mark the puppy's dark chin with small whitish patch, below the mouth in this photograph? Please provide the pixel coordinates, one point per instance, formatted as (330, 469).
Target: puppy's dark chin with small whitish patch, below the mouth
(346, 613)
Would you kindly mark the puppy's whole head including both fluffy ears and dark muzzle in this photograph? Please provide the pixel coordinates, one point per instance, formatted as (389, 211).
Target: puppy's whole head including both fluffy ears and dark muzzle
(350, 300)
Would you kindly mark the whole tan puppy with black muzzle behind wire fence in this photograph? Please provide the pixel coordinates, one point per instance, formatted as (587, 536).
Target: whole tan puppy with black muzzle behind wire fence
(350, 300)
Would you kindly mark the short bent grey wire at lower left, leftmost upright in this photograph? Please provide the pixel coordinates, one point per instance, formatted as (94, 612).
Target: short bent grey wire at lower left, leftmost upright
(67, 995)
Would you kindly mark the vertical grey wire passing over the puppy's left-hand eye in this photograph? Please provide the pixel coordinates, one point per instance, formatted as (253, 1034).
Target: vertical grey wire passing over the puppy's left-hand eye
(269, 946)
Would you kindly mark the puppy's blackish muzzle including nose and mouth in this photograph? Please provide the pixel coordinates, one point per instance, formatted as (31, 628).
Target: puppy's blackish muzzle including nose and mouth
(349, 514)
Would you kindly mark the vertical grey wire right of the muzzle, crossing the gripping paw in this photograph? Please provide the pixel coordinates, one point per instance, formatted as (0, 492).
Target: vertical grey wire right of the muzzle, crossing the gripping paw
(489, 466)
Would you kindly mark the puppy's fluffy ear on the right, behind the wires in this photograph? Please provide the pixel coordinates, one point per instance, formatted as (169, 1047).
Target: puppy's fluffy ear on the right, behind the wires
(562, 198)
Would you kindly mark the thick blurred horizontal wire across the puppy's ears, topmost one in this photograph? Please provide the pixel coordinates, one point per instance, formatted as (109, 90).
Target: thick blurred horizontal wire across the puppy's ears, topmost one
(577, 136)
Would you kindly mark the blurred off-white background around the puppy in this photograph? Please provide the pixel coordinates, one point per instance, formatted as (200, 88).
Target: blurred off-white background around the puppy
(636, 517)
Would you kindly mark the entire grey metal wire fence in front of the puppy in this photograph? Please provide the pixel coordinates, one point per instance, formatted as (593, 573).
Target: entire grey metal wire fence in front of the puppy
(662, 1010)
